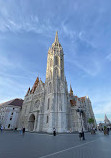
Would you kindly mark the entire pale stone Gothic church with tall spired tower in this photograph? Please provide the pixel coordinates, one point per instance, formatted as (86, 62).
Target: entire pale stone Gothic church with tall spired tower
(49, 105)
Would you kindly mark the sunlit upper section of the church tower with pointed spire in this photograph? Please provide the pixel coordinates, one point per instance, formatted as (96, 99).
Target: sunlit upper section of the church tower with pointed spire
(55, 61)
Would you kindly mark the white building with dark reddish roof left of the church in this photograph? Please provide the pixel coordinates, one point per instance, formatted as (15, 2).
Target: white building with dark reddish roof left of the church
(9, 113)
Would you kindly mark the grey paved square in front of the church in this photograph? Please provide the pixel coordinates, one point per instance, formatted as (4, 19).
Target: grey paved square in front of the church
(33, 145)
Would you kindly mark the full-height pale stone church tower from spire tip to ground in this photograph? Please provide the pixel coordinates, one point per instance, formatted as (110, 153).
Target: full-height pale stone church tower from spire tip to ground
(56, 99)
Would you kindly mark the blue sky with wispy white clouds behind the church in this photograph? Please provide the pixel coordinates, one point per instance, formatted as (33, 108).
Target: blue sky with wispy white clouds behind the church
(27, 30)
